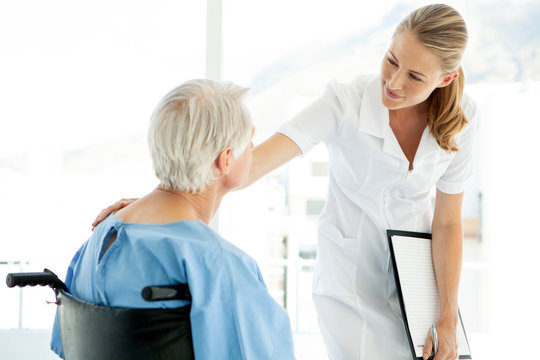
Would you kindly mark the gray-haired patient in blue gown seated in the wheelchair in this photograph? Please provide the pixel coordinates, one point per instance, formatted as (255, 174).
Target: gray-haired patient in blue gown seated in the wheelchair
(200, 142)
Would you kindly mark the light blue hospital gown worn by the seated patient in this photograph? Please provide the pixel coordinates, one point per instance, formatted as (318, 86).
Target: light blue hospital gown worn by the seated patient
(232, 314)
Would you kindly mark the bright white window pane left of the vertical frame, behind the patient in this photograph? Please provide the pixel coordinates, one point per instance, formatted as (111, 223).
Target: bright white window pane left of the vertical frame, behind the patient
(79, 83)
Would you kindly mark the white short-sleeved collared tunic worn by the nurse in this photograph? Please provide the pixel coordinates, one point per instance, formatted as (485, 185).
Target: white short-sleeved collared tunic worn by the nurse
(370, 190)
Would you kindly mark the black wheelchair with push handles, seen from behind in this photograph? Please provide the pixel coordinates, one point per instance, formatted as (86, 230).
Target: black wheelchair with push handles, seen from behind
(93, 332)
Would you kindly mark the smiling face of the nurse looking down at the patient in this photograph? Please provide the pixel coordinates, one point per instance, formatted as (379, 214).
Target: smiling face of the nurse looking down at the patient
(409, 73)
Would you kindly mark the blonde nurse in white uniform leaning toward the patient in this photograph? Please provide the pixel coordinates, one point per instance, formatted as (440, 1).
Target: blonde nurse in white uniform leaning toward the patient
(391, 139)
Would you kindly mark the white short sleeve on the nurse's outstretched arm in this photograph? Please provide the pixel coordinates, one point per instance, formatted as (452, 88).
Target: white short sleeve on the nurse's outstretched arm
(319, 121)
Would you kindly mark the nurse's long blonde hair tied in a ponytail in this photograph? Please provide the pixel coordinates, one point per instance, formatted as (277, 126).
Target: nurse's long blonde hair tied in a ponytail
(441, 29)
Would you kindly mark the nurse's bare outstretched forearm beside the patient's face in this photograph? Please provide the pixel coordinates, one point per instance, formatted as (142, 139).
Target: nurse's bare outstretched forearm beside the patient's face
(271, 154)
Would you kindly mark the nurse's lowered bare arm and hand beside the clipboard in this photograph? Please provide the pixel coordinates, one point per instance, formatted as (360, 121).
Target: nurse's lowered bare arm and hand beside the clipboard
(447, 233)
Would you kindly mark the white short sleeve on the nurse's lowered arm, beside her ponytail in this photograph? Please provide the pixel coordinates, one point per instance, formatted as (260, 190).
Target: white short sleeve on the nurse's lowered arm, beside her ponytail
(459, 173)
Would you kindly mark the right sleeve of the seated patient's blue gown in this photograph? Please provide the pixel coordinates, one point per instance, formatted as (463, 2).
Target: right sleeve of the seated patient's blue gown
(233, 316)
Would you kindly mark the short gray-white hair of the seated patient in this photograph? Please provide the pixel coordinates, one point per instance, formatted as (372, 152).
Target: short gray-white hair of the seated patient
(191, 126)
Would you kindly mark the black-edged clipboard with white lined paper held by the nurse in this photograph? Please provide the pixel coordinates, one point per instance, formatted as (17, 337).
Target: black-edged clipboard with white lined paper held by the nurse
(417, 289)
